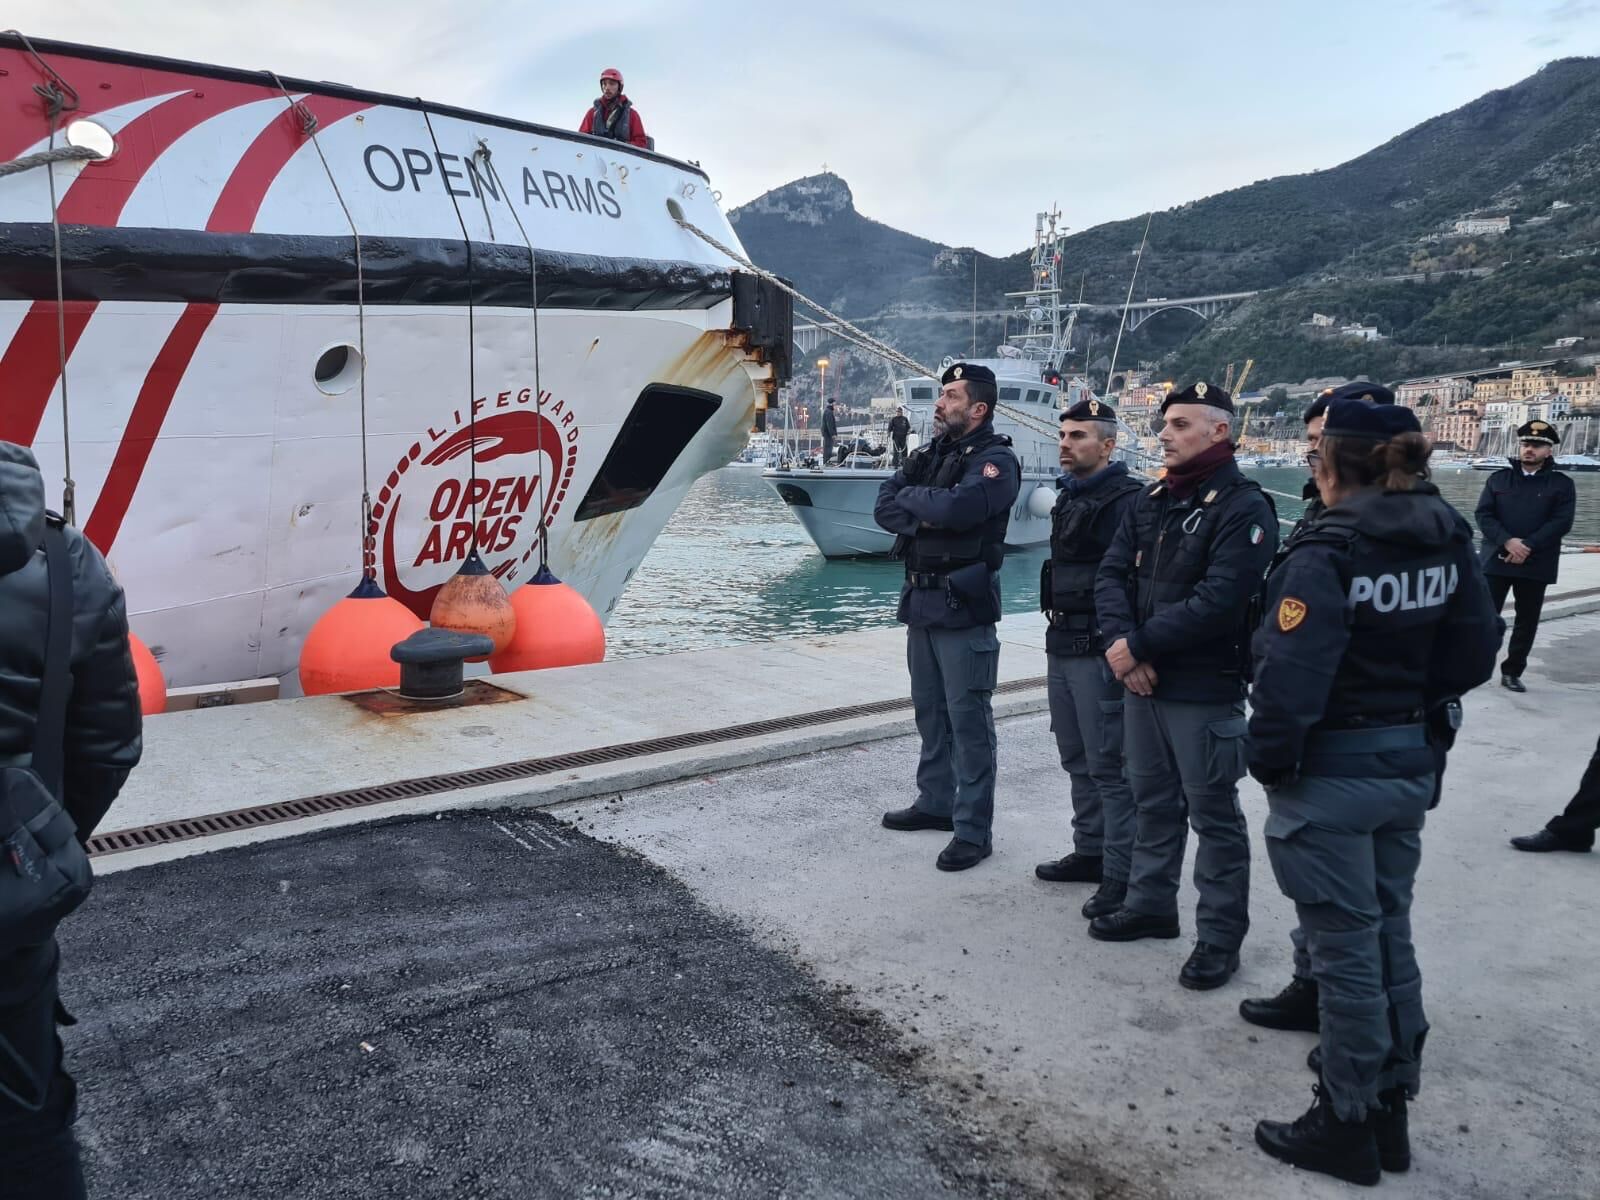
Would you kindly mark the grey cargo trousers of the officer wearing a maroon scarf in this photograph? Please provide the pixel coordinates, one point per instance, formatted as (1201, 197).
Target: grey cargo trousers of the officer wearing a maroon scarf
(1185, 762)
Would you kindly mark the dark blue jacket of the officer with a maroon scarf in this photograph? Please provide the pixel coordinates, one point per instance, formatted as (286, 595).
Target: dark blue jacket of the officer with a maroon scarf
(1180, 578)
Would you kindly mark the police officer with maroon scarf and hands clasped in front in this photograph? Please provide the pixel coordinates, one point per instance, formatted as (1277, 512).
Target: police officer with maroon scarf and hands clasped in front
(1174, 599)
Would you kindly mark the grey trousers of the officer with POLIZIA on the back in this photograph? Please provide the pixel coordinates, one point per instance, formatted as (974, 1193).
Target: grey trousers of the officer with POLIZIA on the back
(1346, 847)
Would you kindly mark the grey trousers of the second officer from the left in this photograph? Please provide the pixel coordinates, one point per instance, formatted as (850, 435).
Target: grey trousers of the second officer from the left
(1086, 714)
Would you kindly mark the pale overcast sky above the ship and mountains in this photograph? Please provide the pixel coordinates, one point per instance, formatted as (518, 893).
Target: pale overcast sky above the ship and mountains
(951, 121)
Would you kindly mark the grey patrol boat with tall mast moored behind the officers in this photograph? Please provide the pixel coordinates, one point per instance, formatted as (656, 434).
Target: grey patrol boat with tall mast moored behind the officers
(834, 505)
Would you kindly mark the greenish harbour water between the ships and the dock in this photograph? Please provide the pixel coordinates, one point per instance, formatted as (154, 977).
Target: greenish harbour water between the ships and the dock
(735, 567)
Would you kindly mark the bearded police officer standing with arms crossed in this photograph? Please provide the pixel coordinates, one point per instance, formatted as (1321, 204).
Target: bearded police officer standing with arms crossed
(950, 508)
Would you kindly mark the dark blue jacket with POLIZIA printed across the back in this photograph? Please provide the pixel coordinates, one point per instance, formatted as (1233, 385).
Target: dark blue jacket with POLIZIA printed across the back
(1378, 614)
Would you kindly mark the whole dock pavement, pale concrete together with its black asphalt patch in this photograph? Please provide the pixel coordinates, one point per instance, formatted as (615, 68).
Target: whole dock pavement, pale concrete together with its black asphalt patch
(706, 970)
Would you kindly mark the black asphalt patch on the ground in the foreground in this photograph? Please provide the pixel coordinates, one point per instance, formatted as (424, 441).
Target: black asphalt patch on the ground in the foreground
(474, 1006)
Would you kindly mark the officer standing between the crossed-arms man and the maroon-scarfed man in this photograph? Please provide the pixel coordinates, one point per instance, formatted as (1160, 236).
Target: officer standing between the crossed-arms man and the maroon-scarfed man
(1086, 698)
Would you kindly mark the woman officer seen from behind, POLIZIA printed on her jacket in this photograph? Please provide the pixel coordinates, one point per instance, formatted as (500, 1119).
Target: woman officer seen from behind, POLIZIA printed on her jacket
(1377, 614)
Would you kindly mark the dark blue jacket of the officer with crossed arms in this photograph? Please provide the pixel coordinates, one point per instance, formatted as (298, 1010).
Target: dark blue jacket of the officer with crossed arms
(951, 489)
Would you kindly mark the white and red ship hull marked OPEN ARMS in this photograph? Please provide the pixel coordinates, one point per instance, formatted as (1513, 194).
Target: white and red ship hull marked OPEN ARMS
(305, 329)
